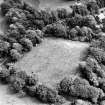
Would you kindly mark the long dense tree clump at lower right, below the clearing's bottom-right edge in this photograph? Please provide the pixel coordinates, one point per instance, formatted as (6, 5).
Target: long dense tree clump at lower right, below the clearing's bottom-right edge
(84, 91)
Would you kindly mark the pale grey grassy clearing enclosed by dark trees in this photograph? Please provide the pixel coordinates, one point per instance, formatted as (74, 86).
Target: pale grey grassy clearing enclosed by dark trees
(53, 59)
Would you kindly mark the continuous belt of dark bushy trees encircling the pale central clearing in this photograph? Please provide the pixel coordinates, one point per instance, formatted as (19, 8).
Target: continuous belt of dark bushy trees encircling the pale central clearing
(27, 27)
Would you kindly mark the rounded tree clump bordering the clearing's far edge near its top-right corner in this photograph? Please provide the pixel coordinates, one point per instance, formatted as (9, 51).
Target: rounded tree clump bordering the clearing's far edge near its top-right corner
(83, 34)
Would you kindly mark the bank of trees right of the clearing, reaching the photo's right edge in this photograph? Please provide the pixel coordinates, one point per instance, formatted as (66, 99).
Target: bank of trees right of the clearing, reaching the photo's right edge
(93, 65)
